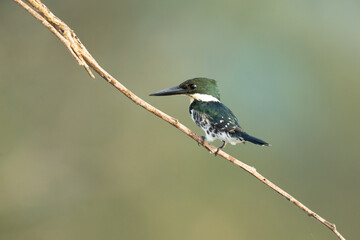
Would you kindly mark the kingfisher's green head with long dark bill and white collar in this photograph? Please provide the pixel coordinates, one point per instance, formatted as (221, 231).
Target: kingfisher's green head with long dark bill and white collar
(201, 89)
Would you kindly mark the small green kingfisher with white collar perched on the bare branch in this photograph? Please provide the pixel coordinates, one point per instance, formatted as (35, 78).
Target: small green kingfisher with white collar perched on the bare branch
(211, 115)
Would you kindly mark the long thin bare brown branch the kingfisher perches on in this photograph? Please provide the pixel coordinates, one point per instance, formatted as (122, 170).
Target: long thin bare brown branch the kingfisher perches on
(83, 57)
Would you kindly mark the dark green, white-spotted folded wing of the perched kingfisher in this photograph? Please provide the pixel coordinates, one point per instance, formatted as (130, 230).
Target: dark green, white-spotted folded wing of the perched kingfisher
(220, 115)
